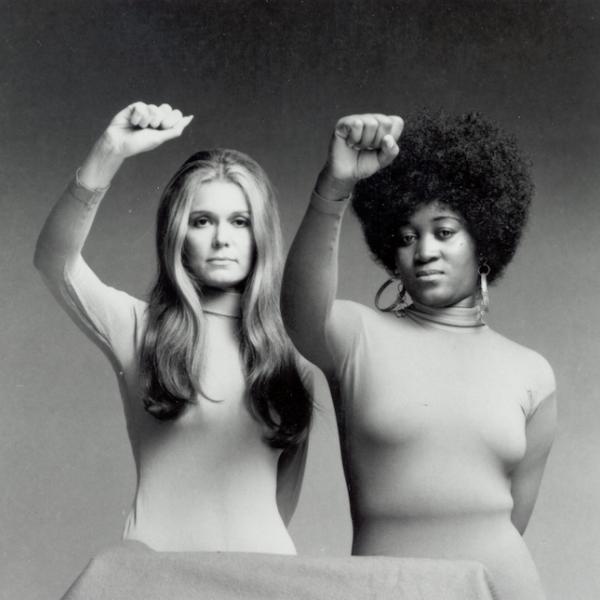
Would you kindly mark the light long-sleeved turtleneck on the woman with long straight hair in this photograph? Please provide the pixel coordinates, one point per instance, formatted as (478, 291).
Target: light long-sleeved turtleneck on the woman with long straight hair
(206, 480)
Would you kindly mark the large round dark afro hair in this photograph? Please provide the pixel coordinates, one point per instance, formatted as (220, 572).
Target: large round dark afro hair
(464, 162)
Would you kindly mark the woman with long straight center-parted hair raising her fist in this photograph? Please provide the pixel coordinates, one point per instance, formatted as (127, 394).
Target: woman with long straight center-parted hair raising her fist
(217, 408)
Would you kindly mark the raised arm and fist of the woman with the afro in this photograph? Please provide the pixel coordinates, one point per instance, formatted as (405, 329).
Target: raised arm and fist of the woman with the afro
(360, 146)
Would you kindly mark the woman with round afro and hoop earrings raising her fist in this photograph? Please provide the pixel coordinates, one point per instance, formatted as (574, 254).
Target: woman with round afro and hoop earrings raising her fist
(445, 425)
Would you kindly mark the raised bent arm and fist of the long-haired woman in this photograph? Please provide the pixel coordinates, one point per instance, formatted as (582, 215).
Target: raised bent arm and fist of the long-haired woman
(135, 129)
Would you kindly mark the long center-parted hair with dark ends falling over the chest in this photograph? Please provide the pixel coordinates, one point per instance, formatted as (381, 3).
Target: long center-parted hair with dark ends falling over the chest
(171, 360)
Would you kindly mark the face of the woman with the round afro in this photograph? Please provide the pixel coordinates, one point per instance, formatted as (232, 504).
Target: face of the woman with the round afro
(436, 259)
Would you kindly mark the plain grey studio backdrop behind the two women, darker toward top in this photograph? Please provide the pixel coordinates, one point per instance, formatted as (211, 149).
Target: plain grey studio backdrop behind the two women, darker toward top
(271, 78)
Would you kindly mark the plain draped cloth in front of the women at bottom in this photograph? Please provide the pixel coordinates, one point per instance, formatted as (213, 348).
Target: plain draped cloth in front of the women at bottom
(132, 571)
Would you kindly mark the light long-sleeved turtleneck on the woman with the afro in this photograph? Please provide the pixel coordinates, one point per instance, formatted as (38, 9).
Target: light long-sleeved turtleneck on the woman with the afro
(444, 424)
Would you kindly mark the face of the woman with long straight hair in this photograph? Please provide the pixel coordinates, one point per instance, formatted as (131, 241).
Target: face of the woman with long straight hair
(219, 244)
